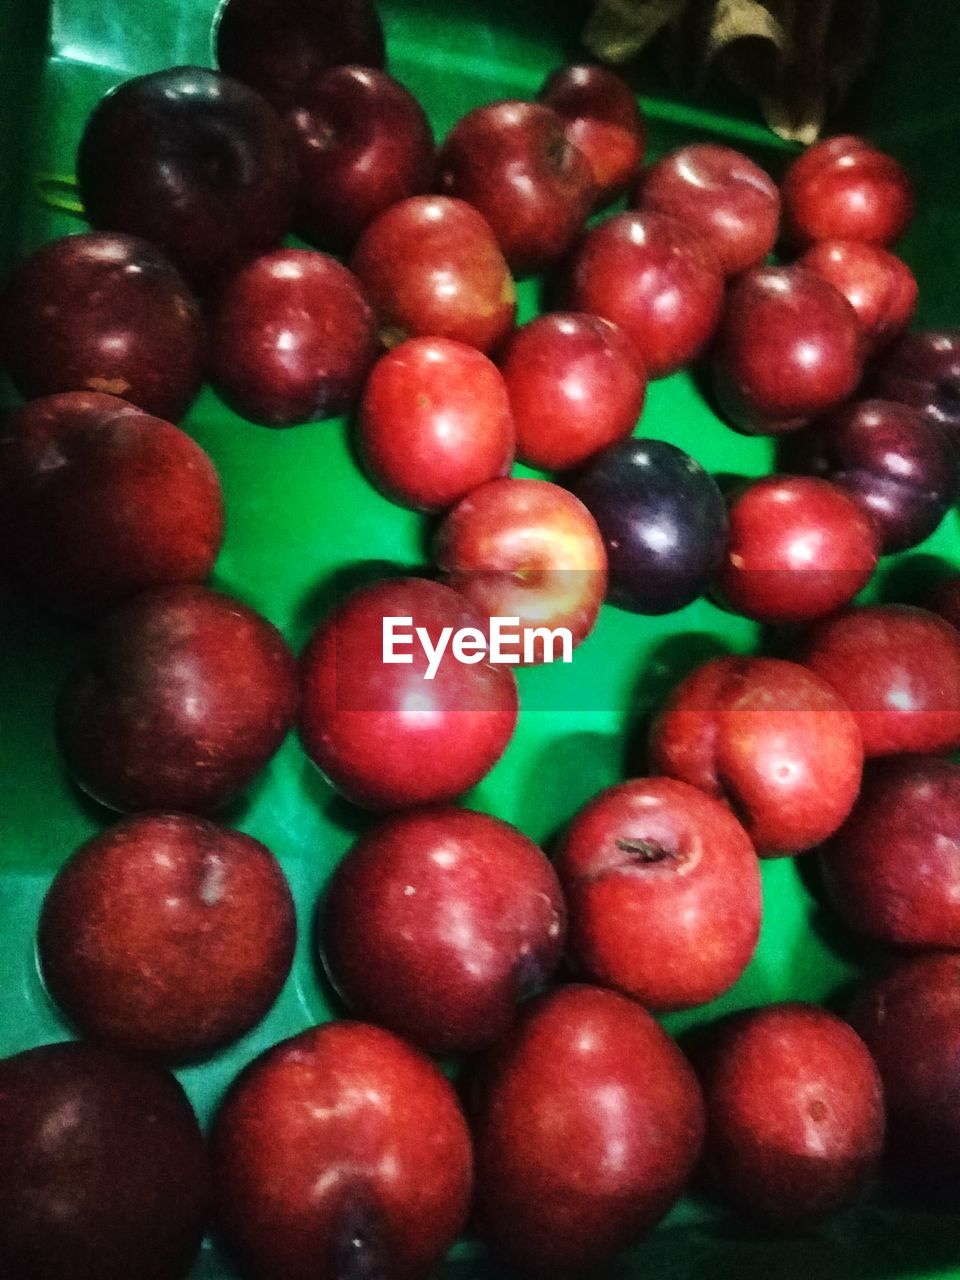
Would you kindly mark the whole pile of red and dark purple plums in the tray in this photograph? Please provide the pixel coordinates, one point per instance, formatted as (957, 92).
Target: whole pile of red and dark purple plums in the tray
(345, 1151)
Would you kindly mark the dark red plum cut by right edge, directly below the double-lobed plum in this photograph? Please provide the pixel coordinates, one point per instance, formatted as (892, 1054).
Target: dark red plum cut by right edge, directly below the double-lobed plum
(892, 870)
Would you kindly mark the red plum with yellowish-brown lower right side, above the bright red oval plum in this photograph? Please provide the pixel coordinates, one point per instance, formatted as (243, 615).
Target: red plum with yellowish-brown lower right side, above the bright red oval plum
(432, 268)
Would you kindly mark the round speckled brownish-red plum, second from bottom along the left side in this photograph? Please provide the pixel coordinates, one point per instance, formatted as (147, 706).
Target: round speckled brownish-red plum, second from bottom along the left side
(167, 936)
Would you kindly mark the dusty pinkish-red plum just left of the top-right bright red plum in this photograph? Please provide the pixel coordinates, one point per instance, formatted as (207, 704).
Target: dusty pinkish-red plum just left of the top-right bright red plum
(723, 195)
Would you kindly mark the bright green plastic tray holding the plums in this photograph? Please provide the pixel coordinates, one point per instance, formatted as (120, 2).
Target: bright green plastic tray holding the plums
(299, 513)
